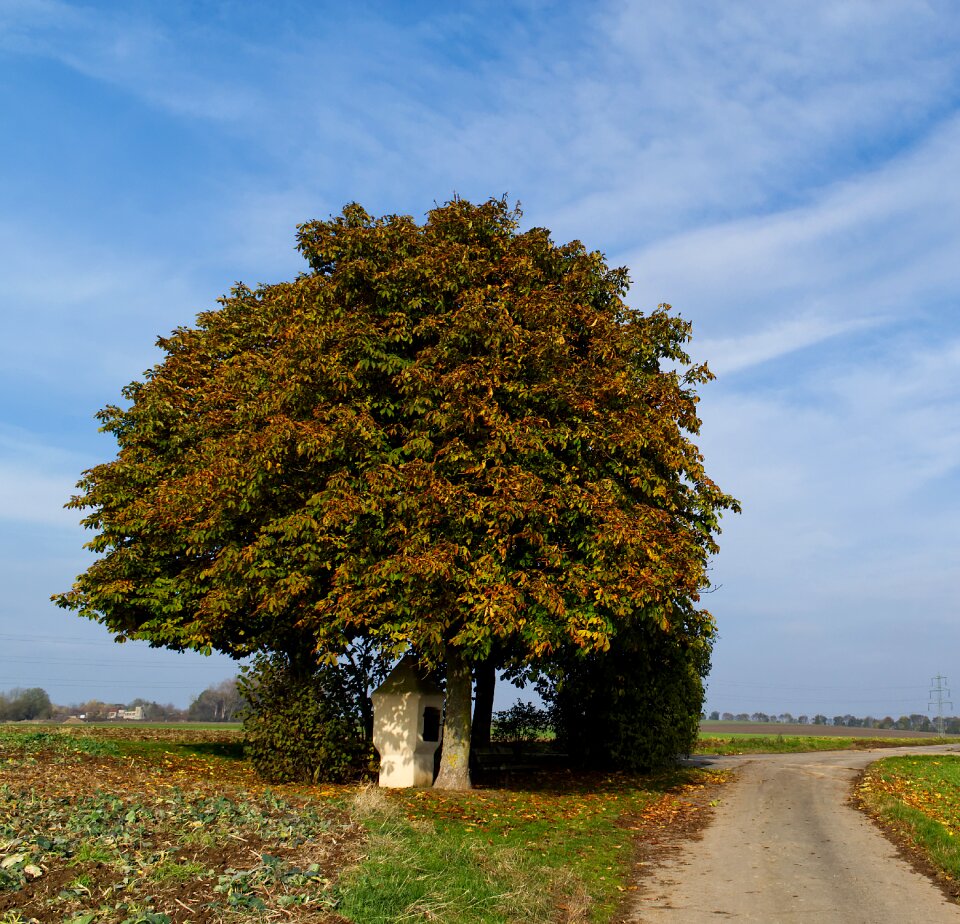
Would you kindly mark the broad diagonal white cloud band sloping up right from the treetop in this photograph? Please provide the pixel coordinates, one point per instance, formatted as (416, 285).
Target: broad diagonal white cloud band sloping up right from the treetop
(869, 251)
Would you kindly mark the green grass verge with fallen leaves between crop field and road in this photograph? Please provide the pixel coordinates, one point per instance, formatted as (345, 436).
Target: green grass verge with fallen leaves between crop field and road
(561, 848)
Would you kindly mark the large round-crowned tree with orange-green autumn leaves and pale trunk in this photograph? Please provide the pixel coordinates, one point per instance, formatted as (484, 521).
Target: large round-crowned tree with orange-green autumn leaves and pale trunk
(453, 437)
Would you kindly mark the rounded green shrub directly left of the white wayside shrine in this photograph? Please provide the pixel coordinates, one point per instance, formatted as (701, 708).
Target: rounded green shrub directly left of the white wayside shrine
(302, 726)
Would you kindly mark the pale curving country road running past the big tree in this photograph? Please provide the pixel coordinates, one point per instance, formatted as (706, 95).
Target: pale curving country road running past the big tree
(786, 846)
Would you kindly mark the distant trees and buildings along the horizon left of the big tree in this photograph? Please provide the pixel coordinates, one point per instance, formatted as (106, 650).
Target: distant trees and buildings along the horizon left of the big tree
(218, 703)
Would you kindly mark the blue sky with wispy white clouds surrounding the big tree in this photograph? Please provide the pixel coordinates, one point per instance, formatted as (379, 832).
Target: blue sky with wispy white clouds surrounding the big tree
(784, 174)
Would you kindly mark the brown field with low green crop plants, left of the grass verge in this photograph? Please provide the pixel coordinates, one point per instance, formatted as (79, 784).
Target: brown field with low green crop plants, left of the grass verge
(88, 836)
